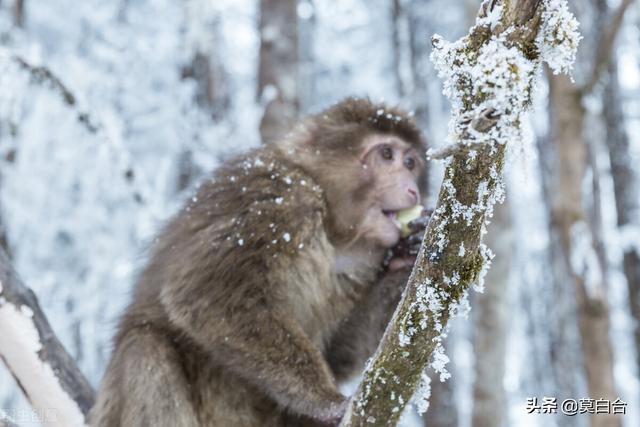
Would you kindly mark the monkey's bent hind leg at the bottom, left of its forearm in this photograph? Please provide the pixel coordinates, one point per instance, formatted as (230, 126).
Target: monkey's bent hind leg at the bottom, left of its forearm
(144, 386)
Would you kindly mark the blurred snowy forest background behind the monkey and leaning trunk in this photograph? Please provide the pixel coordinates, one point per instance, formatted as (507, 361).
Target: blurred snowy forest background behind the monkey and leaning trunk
(112, 111)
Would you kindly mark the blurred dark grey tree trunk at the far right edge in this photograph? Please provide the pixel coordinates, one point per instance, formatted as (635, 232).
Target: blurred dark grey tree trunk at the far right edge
(625, 189)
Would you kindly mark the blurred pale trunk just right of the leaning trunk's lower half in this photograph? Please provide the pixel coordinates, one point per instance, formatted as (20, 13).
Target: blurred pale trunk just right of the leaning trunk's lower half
(490, 335)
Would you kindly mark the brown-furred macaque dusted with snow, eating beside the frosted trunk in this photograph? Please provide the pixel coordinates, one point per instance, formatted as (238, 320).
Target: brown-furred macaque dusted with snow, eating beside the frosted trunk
(270, 286)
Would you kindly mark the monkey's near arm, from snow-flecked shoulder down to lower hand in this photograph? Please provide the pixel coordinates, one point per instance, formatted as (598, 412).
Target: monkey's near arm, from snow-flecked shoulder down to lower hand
(229, 296)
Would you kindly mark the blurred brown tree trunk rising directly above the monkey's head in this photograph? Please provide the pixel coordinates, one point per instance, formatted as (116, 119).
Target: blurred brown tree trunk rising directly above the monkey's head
(278, 68)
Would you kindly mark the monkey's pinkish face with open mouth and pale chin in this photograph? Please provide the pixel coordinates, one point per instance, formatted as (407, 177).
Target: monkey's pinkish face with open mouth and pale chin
(393, 168)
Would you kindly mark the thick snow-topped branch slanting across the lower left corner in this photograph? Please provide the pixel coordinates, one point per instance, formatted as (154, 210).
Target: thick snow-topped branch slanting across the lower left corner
(46, 373)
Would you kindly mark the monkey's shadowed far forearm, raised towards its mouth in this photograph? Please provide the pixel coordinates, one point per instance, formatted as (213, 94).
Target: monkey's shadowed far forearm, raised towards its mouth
(357, 339)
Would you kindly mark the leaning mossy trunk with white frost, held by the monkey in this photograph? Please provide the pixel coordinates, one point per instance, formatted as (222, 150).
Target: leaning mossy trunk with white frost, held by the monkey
(489, 77)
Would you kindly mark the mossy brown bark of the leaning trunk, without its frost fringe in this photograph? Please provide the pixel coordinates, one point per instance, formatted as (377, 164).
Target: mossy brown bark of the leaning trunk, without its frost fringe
(451, 257)
